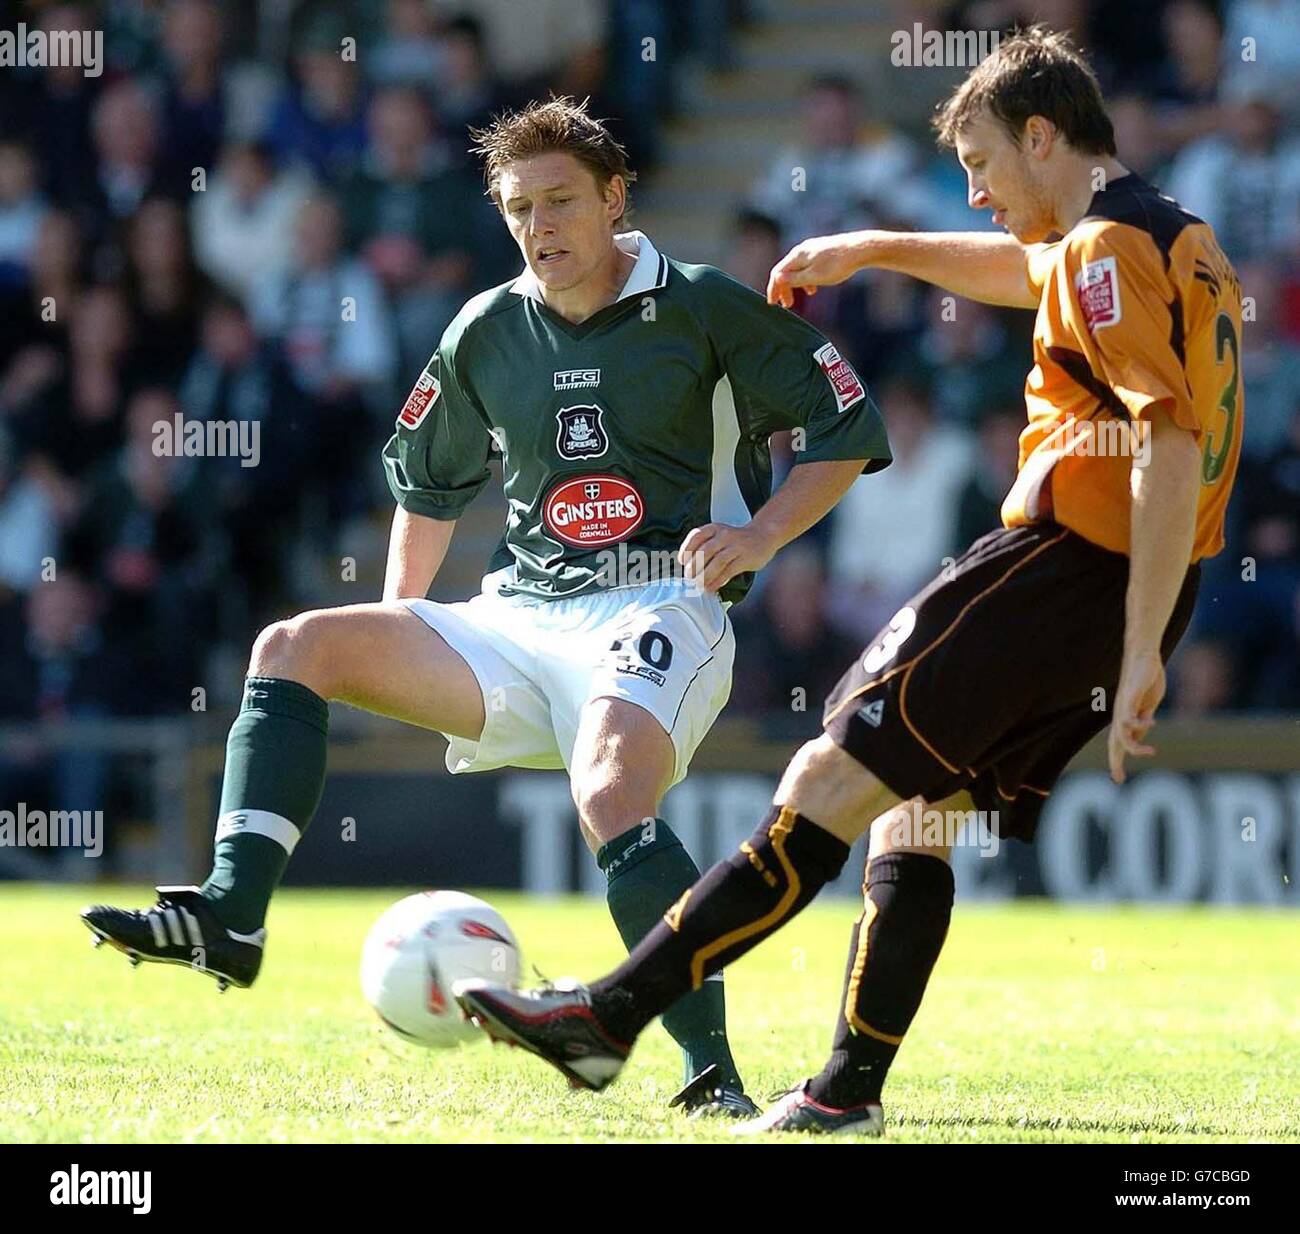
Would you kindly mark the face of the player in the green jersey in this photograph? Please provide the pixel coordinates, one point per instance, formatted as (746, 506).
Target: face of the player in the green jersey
(562, 219)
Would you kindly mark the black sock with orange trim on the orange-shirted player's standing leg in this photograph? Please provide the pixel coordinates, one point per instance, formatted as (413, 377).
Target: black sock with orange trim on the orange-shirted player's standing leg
(896, 942)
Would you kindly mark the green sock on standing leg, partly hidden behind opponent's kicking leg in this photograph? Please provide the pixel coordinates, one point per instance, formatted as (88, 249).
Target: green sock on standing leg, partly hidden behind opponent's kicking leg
(648, 871)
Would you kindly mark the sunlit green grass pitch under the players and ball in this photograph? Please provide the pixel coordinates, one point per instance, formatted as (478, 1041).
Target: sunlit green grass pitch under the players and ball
(1041, 1024)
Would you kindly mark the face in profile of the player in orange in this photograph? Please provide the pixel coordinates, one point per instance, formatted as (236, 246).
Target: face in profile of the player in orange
(1007, 176)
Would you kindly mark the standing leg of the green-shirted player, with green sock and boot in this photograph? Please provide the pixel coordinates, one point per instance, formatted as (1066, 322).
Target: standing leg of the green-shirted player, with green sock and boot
(622, 765)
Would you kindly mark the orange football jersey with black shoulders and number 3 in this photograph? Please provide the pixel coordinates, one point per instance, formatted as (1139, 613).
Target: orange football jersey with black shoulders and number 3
(1138, 306)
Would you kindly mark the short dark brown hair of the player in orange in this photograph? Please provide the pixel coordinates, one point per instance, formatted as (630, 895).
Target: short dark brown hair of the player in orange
(1035, 72)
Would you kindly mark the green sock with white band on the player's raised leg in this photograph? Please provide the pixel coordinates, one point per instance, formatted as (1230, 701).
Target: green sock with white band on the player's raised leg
(272, 785)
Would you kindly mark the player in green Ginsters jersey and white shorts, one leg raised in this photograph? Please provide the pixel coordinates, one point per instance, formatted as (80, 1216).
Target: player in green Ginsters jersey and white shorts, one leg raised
(631, 399)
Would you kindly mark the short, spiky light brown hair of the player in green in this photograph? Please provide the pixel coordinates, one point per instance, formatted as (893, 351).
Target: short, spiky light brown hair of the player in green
(560, 124)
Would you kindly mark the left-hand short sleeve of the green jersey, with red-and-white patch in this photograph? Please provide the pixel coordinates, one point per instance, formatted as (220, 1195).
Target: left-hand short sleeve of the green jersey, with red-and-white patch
(437, 458)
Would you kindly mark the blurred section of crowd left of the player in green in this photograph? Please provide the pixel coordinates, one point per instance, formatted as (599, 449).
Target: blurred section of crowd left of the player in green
(262, 215)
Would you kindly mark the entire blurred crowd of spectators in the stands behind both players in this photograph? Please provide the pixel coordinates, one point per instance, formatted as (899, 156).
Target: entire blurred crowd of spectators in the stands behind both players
(177, 237)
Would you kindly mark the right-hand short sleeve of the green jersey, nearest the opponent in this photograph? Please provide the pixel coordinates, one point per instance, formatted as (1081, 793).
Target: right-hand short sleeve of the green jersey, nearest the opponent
(786, 375)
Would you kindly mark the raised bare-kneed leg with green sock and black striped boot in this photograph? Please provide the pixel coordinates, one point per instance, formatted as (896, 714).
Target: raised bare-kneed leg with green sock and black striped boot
(276, 770)
